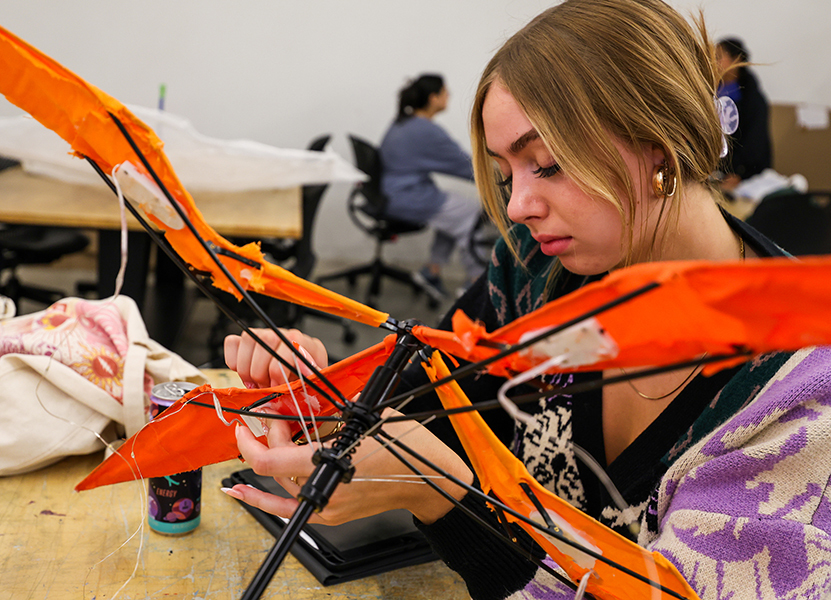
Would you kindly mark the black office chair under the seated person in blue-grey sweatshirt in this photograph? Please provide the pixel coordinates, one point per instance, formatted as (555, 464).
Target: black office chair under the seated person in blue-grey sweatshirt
(367, 205)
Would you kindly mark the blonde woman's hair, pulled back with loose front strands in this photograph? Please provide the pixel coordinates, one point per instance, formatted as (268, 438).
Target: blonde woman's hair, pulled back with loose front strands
(587, 72)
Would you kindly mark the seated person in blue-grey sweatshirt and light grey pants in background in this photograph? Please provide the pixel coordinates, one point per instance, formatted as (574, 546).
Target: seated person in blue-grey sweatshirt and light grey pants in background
(413, 148)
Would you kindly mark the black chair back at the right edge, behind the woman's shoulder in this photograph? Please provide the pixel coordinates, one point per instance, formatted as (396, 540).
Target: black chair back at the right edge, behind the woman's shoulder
(799, 223)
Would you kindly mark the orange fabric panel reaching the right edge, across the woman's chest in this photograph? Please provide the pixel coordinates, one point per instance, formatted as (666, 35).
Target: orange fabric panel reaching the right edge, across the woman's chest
(699, 307)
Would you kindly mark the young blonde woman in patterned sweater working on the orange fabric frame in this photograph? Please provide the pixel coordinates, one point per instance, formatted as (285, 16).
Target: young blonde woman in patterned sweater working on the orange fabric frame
(595, 130)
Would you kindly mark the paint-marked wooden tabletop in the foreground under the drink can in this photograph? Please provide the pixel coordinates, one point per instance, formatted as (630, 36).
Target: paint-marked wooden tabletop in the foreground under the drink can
(56, 543)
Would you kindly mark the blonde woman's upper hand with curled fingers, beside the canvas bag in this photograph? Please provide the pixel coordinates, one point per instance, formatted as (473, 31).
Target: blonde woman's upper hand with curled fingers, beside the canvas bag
(258, 369)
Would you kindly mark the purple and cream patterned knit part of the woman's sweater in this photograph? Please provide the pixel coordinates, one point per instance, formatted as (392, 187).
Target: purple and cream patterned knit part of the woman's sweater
(745, 512)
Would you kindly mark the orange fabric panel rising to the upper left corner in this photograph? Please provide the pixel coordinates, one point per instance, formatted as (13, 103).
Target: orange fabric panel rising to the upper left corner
(80, 114)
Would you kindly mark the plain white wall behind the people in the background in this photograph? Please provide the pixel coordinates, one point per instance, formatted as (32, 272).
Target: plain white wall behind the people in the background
(281, 72)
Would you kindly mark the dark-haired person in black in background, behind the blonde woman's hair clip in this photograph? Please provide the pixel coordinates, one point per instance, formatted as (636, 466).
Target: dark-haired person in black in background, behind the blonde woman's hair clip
(750, 149)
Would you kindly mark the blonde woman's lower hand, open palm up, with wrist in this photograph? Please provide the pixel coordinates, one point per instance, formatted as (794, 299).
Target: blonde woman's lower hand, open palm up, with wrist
(365, 495)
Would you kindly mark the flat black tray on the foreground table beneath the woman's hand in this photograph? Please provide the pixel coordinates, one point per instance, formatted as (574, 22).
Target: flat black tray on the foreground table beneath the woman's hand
(346, 552)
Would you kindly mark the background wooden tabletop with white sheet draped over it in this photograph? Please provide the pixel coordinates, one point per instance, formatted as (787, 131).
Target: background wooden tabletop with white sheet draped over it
(33, 200)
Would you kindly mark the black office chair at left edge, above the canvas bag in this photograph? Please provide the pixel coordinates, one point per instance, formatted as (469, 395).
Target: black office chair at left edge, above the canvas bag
(33, 245)
